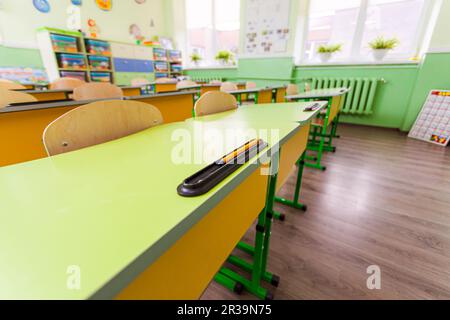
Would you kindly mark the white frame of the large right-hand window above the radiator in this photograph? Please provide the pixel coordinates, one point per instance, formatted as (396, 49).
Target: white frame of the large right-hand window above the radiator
(355, 56)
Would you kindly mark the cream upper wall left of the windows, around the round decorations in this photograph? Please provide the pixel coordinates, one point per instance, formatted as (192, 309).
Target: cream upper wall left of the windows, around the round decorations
(19, 19)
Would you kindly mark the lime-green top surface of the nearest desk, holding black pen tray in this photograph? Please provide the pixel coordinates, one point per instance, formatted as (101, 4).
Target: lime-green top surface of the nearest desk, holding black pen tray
(111, 209)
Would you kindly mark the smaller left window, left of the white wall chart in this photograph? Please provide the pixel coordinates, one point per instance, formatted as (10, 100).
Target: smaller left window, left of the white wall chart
(212, 25)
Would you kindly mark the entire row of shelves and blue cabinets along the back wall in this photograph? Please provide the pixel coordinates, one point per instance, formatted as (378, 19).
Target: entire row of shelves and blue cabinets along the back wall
(107, 61)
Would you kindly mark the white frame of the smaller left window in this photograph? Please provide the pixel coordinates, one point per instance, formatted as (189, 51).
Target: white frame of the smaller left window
(210, 61)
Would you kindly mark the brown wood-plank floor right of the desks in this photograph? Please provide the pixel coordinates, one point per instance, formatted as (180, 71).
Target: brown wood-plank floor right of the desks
(385, 201)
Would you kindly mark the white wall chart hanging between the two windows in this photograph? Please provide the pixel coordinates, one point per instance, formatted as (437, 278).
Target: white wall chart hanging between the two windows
(267, 26)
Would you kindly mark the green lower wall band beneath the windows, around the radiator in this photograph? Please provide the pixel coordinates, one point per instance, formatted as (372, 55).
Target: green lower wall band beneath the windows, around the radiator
(391, 101)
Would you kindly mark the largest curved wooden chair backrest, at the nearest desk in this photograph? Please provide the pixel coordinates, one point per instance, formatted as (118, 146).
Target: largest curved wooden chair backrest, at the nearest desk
(97, 123)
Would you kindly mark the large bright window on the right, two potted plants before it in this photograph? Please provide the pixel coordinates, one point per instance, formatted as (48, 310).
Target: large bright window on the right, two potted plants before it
(355, 23)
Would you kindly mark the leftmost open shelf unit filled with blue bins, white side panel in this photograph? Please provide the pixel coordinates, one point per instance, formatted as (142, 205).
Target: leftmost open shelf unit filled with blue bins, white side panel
(69, 54)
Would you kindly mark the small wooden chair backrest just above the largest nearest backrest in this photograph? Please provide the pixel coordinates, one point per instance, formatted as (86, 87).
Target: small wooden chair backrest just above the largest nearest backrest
(93, 91)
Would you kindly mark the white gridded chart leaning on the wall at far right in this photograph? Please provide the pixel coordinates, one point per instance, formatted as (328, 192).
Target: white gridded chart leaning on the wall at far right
(433, 123)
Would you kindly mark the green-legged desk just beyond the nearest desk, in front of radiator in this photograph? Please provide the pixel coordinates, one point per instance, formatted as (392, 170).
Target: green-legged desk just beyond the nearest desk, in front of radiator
(335, 98)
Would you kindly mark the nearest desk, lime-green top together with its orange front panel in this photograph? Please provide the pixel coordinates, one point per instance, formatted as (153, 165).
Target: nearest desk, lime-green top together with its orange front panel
(112, 213)
